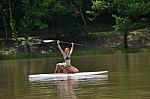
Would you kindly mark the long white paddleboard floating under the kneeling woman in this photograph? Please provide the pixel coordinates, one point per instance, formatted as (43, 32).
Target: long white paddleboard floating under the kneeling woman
(61, 76)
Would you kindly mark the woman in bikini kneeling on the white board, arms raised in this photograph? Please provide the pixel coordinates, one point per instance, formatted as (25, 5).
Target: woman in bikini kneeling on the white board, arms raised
(66, 66)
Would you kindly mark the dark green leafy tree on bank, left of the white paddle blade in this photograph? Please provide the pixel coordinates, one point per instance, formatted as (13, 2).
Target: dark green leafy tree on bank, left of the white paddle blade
(34, 12)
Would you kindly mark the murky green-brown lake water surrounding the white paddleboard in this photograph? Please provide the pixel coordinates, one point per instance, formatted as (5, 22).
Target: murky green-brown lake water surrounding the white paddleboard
(128, 78)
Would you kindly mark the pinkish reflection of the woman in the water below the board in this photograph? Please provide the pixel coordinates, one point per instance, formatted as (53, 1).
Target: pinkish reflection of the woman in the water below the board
(66, 88)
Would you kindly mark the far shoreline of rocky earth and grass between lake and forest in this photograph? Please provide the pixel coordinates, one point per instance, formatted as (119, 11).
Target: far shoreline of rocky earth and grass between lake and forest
(99, 43)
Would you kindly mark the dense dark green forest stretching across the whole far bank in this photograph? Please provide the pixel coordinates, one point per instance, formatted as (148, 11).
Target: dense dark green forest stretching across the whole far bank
(70, 19)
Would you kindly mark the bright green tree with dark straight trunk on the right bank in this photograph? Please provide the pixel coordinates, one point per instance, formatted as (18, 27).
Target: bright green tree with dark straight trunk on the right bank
(129, 13)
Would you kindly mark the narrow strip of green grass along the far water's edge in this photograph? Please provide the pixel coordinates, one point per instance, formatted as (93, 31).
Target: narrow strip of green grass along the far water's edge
(76, 53)
